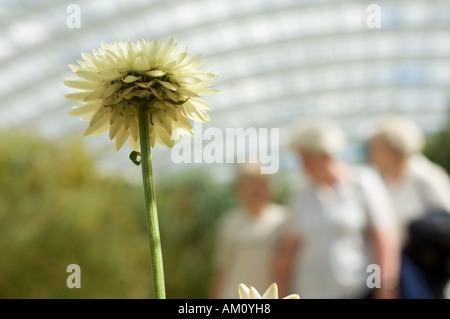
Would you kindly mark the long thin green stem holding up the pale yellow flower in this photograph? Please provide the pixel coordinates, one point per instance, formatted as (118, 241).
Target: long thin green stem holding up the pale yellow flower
(150, 204)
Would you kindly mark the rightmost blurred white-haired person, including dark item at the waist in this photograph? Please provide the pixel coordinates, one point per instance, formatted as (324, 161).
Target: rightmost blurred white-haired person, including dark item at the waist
(420, 191)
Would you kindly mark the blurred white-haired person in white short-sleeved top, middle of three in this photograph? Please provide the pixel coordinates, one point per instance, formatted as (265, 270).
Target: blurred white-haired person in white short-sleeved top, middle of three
(342, 222)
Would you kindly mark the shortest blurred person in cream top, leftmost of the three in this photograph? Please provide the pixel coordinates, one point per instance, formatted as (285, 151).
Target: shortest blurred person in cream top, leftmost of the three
(248, 236)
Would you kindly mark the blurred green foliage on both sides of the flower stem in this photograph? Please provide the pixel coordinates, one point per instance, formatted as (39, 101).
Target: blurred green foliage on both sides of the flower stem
(55, 211)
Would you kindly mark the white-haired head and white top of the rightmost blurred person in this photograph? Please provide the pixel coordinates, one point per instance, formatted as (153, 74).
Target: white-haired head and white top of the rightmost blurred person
(415, 183)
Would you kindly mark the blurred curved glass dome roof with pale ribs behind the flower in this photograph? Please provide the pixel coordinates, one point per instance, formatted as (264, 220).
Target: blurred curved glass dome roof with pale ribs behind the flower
(277, 61)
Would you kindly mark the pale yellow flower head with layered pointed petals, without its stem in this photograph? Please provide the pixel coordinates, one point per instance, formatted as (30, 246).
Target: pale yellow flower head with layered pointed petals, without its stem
(118, 78)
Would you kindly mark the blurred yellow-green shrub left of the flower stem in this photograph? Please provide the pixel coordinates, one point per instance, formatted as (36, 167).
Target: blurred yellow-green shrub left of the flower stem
(54, 211)
